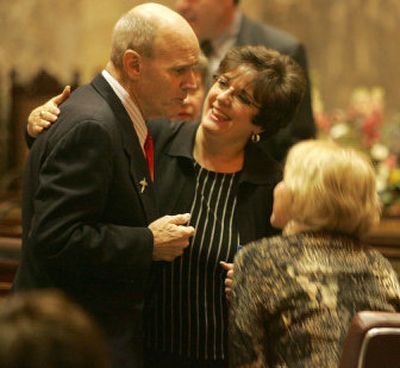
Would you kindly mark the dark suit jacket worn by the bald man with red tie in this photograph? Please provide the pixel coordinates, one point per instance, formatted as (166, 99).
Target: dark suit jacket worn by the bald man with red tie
(85, 216)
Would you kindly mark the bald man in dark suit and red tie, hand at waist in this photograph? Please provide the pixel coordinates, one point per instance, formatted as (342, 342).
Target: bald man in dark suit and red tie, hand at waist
(89, 211)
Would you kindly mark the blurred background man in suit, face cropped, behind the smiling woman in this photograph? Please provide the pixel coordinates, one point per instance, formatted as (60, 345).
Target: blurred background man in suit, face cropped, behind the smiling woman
(220, 25)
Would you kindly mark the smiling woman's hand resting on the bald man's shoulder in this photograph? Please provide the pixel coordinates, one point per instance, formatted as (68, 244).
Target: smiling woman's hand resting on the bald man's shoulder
(45, 115)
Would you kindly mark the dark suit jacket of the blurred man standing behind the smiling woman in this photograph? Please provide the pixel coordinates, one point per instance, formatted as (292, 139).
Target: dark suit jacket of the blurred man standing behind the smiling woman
(302, 126)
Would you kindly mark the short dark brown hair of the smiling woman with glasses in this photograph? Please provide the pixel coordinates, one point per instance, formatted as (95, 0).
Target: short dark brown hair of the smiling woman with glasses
(278, 85)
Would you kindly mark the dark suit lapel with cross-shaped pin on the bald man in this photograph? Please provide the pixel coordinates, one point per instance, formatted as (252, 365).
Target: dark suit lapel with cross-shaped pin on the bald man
(138, 169)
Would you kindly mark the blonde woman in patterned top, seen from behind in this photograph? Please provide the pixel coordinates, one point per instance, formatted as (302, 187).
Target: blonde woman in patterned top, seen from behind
(293, 295)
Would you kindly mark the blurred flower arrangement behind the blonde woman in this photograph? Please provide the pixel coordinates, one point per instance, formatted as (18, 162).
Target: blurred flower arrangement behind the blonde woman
(363, 125)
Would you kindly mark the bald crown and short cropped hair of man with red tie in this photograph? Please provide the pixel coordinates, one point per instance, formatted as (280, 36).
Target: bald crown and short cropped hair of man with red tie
(142, 25)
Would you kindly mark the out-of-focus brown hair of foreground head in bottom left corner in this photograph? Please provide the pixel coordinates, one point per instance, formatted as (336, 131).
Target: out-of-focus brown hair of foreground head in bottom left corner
(45, 329)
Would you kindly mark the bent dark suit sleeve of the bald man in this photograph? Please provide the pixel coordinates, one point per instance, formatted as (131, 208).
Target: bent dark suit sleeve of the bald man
(68, 232)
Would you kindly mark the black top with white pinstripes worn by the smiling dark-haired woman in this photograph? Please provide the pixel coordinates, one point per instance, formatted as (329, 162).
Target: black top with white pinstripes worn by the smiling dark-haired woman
(190, 307)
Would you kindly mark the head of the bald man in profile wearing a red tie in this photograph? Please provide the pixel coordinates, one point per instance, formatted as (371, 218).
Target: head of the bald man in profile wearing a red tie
(154, 53)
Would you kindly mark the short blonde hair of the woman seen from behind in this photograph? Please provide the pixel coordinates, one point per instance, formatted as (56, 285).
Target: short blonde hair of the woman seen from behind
(331, 188)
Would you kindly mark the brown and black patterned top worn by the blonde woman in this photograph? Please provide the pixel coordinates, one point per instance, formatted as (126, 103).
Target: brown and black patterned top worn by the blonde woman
(294, 297)
